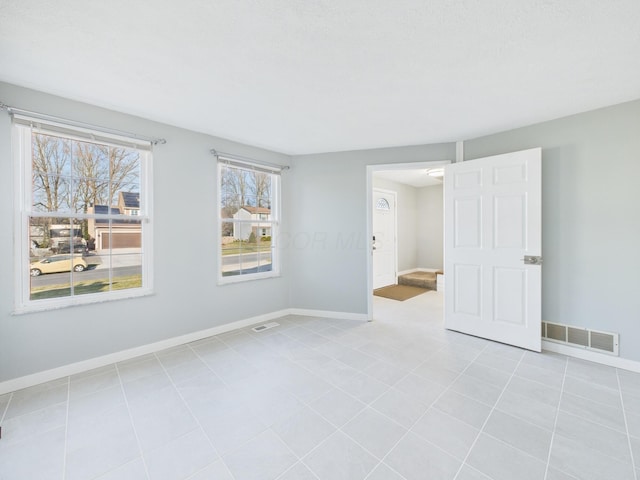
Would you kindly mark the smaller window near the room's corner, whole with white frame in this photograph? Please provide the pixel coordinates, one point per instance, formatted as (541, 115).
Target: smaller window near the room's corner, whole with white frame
(248, 221)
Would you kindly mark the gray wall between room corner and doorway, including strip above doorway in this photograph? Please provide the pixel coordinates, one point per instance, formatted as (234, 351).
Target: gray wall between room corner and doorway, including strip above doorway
(330, 192)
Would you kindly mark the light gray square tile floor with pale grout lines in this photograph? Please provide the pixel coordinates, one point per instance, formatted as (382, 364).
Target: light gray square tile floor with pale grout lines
(323, 399)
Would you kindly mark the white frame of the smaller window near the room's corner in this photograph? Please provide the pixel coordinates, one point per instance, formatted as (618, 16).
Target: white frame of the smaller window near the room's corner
(274, 221)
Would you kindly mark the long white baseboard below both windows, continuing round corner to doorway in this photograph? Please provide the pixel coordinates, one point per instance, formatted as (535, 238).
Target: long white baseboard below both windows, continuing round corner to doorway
(104, 360)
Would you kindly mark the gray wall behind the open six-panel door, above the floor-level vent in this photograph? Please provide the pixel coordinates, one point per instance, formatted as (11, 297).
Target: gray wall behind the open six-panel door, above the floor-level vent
(590, 217)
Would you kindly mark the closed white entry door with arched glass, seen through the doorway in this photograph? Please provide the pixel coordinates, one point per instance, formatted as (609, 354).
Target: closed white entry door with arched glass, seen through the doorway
(384, 238)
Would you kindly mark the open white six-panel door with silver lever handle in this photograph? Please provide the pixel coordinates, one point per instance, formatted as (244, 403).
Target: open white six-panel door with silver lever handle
(492, 223)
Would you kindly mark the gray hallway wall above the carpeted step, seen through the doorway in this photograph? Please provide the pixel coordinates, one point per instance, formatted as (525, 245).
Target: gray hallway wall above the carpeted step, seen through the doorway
(430, 227)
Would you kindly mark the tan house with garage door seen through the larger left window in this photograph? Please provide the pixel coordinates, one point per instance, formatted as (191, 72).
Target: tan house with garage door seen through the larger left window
(125, 233)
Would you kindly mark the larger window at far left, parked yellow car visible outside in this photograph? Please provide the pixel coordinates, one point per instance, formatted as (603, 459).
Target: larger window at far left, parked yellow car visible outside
(76, 242)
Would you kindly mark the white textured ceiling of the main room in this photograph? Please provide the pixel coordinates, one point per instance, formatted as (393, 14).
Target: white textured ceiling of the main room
(329, 75)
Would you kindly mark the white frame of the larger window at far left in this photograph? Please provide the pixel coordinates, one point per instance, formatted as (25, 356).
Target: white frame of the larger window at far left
(22, 153)
